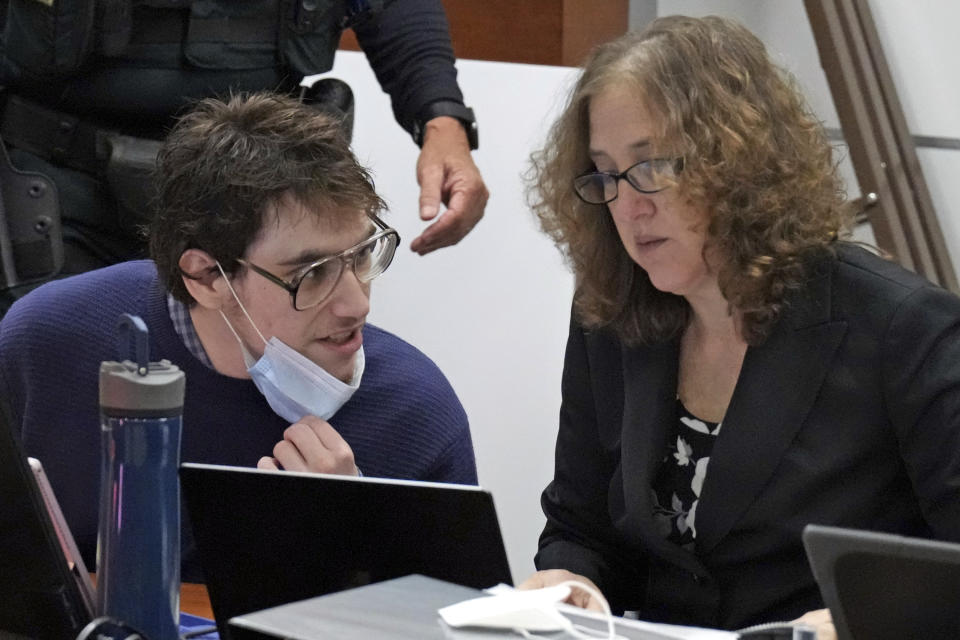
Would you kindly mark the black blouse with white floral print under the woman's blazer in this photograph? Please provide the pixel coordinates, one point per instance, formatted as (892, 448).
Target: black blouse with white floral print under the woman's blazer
(676, 488)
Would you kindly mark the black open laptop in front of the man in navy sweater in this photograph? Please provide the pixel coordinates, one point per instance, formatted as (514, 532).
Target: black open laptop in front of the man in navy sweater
(267, 538)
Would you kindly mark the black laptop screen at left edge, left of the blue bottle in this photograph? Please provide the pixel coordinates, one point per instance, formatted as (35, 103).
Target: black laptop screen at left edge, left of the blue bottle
(39, 595)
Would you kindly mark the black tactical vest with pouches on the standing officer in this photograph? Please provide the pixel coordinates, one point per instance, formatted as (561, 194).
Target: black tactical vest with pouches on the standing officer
(47, 39)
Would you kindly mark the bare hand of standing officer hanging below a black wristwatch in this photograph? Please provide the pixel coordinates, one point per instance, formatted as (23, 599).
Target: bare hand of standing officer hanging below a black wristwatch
(446, 174)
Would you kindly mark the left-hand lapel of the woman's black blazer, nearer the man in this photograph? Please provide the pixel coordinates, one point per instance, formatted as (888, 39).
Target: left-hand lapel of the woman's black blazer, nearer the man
(649, 407)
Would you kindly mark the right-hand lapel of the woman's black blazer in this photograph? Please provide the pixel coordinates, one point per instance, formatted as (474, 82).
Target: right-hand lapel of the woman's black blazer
(778, 384)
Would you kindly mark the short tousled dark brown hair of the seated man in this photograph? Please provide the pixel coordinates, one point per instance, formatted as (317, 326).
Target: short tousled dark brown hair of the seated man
(225, 167)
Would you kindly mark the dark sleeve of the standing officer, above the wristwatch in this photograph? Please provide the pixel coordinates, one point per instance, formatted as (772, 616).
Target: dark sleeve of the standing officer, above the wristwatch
(408, 46)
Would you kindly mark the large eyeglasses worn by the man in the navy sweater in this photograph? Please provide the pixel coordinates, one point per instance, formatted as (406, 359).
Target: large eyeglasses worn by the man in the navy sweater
(313, 285)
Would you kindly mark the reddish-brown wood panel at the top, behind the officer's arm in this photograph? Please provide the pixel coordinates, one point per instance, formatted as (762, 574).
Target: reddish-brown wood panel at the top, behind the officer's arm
(556, 32)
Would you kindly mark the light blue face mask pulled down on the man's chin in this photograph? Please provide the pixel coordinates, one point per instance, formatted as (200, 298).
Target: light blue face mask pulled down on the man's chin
(293, 385)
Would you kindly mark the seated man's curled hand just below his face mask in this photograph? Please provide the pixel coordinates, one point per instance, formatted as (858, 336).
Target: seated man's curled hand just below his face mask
(311, 445)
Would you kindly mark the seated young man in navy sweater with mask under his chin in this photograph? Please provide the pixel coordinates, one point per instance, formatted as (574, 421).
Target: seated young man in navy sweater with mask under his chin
(264, 244)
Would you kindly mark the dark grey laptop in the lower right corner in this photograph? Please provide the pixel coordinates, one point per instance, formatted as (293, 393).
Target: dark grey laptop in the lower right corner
(882, 586)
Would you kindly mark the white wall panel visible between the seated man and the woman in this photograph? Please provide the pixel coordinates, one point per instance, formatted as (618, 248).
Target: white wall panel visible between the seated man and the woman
(493, 311)
